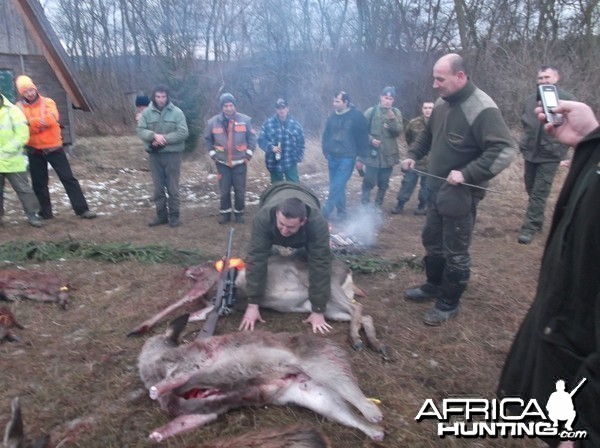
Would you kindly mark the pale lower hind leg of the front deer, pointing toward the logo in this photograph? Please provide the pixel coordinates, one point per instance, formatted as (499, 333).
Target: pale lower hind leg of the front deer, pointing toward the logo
(328, 403)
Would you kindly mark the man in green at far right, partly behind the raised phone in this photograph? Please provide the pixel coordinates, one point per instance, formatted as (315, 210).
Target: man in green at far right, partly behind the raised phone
(542, 155)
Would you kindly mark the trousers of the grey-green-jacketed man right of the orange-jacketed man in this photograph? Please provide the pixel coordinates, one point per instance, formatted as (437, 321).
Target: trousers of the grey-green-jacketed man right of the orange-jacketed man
(165, 168)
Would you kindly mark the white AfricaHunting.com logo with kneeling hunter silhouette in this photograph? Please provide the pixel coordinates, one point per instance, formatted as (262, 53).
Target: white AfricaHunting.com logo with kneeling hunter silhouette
(509, 417)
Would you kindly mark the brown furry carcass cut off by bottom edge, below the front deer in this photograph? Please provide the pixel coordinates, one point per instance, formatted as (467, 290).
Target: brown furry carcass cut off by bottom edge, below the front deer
(287, 437)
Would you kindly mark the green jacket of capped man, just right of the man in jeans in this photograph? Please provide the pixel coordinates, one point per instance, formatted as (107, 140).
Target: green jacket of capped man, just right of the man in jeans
(387, 130)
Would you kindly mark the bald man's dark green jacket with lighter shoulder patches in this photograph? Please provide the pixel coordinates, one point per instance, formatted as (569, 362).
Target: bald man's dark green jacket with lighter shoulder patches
(465, 132)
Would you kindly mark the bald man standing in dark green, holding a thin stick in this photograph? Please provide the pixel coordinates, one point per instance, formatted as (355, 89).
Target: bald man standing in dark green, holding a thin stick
(468, 142)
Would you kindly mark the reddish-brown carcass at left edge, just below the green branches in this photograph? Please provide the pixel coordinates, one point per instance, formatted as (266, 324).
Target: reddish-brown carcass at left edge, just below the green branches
(40, 286)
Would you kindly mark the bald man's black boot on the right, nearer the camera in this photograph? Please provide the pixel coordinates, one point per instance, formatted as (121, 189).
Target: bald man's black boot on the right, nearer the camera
(446, 306)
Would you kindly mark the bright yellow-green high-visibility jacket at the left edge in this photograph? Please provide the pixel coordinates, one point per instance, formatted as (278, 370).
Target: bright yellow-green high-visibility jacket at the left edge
(14, 133)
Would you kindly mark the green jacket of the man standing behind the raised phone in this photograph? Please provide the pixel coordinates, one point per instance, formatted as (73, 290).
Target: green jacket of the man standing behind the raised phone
(535, 144)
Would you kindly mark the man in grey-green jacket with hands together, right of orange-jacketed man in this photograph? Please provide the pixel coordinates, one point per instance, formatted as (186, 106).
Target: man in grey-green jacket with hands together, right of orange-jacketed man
(163, 129)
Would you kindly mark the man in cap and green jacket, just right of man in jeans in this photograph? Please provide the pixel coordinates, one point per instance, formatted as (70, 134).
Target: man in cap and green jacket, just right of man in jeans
(385, 125)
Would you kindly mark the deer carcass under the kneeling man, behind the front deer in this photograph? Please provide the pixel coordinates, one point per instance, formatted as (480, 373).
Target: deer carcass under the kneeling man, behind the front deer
(286, 292)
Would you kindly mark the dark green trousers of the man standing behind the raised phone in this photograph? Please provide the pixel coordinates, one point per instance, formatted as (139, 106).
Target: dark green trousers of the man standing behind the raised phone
(538, 184)
